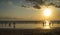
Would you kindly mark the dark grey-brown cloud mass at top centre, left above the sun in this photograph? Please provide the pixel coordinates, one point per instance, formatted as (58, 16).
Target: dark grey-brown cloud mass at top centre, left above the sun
(35, 3)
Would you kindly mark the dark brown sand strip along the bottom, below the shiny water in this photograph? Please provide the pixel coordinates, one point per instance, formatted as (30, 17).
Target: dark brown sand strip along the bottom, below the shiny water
(30, 31)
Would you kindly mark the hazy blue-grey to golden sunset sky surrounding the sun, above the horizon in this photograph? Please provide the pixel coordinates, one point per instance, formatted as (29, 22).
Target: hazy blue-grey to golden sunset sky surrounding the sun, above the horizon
(15, 9)
